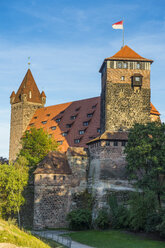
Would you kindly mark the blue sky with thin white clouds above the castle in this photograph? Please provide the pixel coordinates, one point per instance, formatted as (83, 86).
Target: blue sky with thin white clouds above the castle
(67, 41)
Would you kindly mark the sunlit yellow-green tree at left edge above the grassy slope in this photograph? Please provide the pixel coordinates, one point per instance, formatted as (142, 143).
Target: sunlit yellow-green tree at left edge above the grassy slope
(13, 179)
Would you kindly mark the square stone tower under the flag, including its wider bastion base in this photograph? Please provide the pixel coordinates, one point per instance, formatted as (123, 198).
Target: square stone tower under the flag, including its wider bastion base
(125, 100)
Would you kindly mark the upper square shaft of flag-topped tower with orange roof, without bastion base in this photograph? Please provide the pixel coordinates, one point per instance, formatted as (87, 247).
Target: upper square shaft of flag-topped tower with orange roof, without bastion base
(125, 94)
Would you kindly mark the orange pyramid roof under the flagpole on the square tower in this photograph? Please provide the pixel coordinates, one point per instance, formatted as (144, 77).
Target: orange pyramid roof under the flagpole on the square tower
(126, 53)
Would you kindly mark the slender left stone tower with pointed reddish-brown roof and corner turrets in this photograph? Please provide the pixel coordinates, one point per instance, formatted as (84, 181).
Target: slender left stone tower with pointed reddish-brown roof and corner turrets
(23, 105)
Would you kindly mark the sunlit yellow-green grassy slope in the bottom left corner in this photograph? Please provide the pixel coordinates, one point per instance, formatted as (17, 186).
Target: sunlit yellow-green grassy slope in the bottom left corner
(10, 233)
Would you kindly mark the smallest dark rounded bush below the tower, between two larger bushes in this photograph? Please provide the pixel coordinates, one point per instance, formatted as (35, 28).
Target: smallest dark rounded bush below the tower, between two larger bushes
(102, 220)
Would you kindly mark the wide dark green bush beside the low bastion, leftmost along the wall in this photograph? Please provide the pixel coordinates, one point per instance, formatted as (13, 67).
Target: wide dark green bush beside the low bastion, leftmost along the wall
(80, 219)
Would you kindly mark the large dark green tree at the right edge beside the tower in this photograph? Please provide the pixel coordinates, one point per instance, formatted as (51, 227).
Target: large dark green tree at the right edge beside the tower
(145, 154)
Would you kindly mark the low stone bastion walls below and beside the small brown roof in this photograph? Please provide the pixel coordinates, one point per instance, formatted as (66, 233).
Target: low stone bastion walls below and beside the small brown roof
(54, 193)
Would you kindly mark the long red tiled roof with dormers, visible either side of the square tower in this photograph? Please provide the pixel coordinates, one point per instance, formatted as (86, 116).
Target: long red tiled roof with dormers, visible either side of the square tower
(69, 125)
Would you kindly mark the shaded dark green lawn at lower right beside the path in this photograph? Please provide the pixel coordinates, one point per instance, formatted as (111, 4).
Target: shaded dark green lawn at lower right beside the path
(114, 239)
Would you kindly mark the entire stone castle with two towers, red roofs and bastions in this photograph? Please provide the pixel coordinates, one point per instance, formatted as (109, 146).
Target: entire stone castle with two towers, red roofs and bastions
(91, 133)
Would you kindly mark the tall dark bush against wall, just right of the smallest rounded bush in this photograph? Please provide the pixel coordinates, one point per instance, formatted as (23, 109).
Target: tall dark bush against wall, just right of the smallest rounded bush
(119, 214)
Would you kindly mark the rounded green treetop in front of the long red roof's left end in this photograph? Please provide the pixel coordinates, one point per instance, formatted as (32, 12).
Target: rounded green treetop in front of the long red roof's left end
(36, 144)
